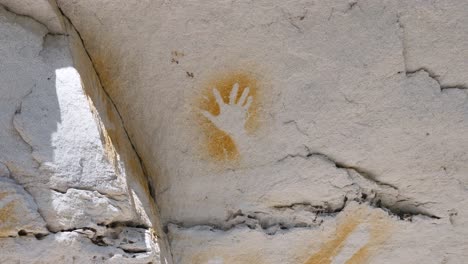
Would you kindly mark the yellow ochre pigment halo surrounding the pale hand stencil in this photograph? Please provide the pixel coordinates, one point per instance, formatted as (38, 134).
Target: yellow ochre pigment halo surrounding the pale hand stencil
(219, 145)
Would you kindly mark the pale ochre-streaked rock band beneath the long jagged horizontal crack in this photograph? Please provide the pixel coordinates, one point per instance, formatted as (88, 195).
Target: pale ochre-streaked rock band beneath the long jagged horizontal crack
(388, 239)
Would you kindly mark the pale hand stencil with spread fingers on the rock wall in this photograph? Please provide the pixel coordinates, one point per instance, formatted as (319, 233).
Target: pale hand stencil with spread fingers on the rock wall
(233, 115)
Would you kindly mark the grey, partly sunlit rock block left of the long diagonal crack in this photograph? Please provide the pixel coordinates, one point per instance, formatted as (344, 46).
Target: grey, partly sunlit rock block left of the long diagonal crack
(66, 195)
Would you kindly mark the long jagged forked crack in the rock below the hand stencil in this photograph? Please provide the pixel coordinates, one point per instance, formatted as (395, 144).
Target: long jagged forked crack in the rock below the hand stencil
(365, 189)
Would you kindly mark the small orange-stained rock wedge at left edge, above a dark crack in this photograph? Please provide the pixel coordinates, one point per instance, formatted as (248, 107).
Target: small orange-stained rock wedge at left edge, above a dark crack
(18, 211)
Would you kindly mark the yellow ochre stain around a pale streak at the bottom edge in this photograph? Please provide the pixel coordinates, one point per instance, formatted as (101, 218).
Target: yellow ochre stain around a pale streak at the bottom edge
(379, 231)
